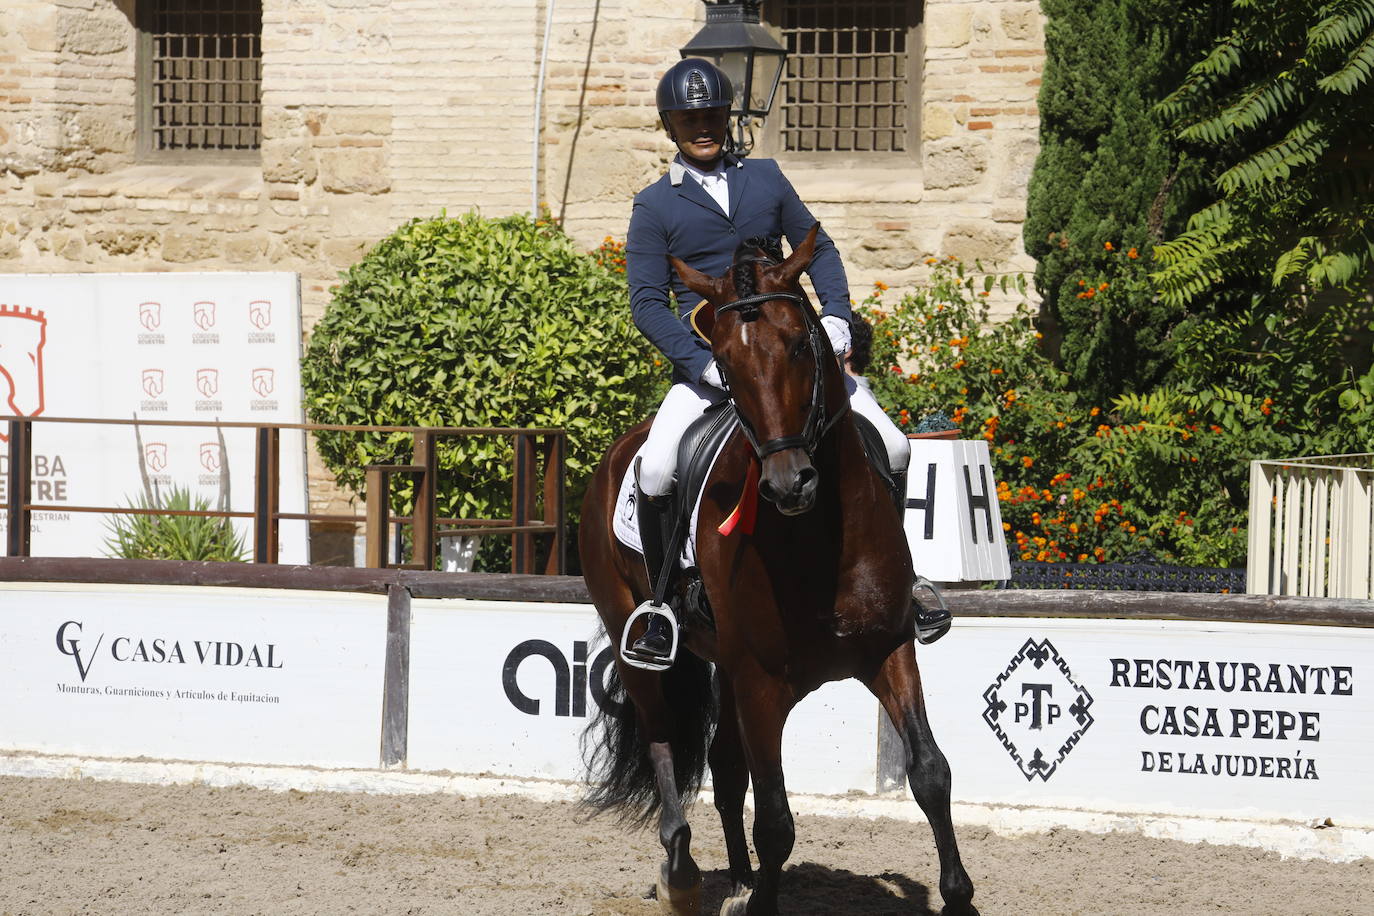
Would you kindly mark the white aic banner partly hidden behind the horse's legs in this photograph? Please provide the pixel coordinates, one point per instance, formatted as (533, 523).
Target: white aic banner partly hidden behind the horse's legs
(508, 689)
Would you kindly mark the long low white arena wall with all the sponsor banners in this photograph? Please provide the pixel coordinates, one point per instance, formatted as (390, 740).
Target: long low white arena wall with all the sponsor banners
(1134, 713)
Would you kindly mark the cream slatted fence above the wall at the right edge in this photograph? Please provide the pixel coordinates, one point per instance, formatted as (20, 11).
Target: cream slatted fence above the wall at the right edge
(1311, 525)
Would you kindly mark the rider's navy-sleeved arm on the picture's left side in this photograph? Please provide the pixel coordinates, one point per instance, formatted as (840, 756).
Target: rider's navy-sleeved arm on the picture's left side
(651, 275)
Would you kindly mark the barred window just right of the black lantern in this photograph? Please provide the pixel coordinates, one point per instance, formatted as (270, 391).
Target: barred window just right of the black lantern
(850, 80)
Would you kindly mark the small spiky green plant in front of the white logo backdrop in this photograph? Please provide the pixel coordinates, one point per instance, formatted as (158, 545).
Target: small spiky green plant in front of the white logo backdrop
(174, 538)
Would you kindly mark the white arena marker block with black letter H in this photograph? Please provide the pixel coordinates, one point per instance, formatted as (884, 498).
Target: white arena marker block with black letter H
(953, 518)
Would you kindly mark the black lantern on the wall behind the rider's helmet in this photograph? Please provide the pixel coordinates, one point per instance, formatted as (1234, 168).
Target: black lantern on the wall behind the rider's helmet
(734, 41)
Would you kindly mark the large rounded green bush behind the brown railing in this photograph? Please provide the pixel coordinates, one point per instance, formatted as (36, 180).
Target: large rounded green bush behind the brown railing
(479, 323)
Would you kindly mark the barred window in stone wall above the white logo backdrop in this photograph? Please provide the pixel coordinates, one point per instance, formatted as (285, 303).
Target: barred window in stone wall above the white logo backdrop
(200, 78)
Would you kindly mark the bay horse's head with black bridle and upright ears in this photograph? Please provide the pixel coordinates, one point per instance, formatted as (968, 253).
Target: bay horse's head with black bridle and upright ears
(774, 355)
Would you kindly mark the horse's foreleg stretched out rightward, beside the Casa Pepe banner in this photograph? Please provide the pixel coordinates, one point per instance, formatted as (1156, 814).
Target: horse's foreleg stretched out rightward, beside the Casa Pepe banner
(898, 687)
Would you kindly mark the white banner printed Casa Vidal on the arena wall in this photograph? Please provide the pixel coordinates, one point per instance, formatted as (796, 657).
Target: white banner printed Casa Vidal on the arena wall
(254, 676)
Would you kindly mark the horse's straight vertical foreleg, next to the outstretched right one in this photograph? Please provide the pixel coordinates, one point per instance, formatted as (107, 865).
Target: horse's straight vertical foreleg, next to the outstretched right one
(762, 711)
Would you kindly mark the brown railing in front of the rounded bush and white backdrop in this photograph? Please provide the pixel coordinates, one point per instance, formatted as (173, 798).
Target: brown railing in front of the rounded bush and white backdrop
(532, 448)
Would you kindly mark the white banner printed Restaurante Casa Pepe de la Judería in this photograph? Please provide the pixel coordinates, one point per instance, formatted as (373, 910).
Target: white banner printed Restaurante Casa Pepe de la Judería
(1240, 720)
